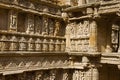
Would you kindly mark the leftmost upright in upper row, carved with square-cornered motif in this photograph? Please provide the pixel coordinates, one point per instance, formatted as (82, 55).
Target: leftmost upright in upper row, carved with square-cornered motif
(12, 20)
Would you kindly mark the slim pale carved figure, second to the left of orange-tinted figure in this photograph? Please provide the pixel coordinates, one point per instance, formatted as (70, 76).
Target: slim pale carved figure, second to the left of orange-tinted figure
(45, 28)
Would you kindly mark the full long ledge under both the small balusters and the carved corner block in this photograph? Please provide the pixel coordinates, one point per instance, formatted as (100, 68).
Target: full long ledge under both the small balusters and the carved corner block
(33, 53)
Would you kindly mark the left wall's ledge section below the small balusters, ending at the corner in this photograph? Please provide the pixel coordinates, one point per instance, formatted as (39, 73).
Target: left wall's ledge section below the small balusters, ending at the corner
(30, 53)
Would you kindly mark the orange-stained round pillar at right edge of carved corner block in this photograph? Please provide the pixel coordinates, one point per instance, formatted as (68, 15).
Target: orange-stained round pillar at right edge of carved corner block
(93, 36)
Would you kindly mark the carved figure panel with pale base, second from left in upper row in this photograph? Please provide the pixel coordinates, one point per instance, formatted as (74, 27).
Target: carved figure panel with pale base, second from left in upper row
(30, 24)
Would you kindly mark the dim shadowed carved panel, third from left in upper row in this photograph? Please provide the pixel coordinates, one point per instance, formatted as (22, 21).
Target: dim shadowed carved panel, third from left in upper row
(38, 24)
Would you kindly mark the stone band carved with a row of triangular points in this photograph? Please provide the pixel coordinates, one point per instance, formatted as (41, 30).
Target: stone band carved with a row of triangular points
(31, 63)
